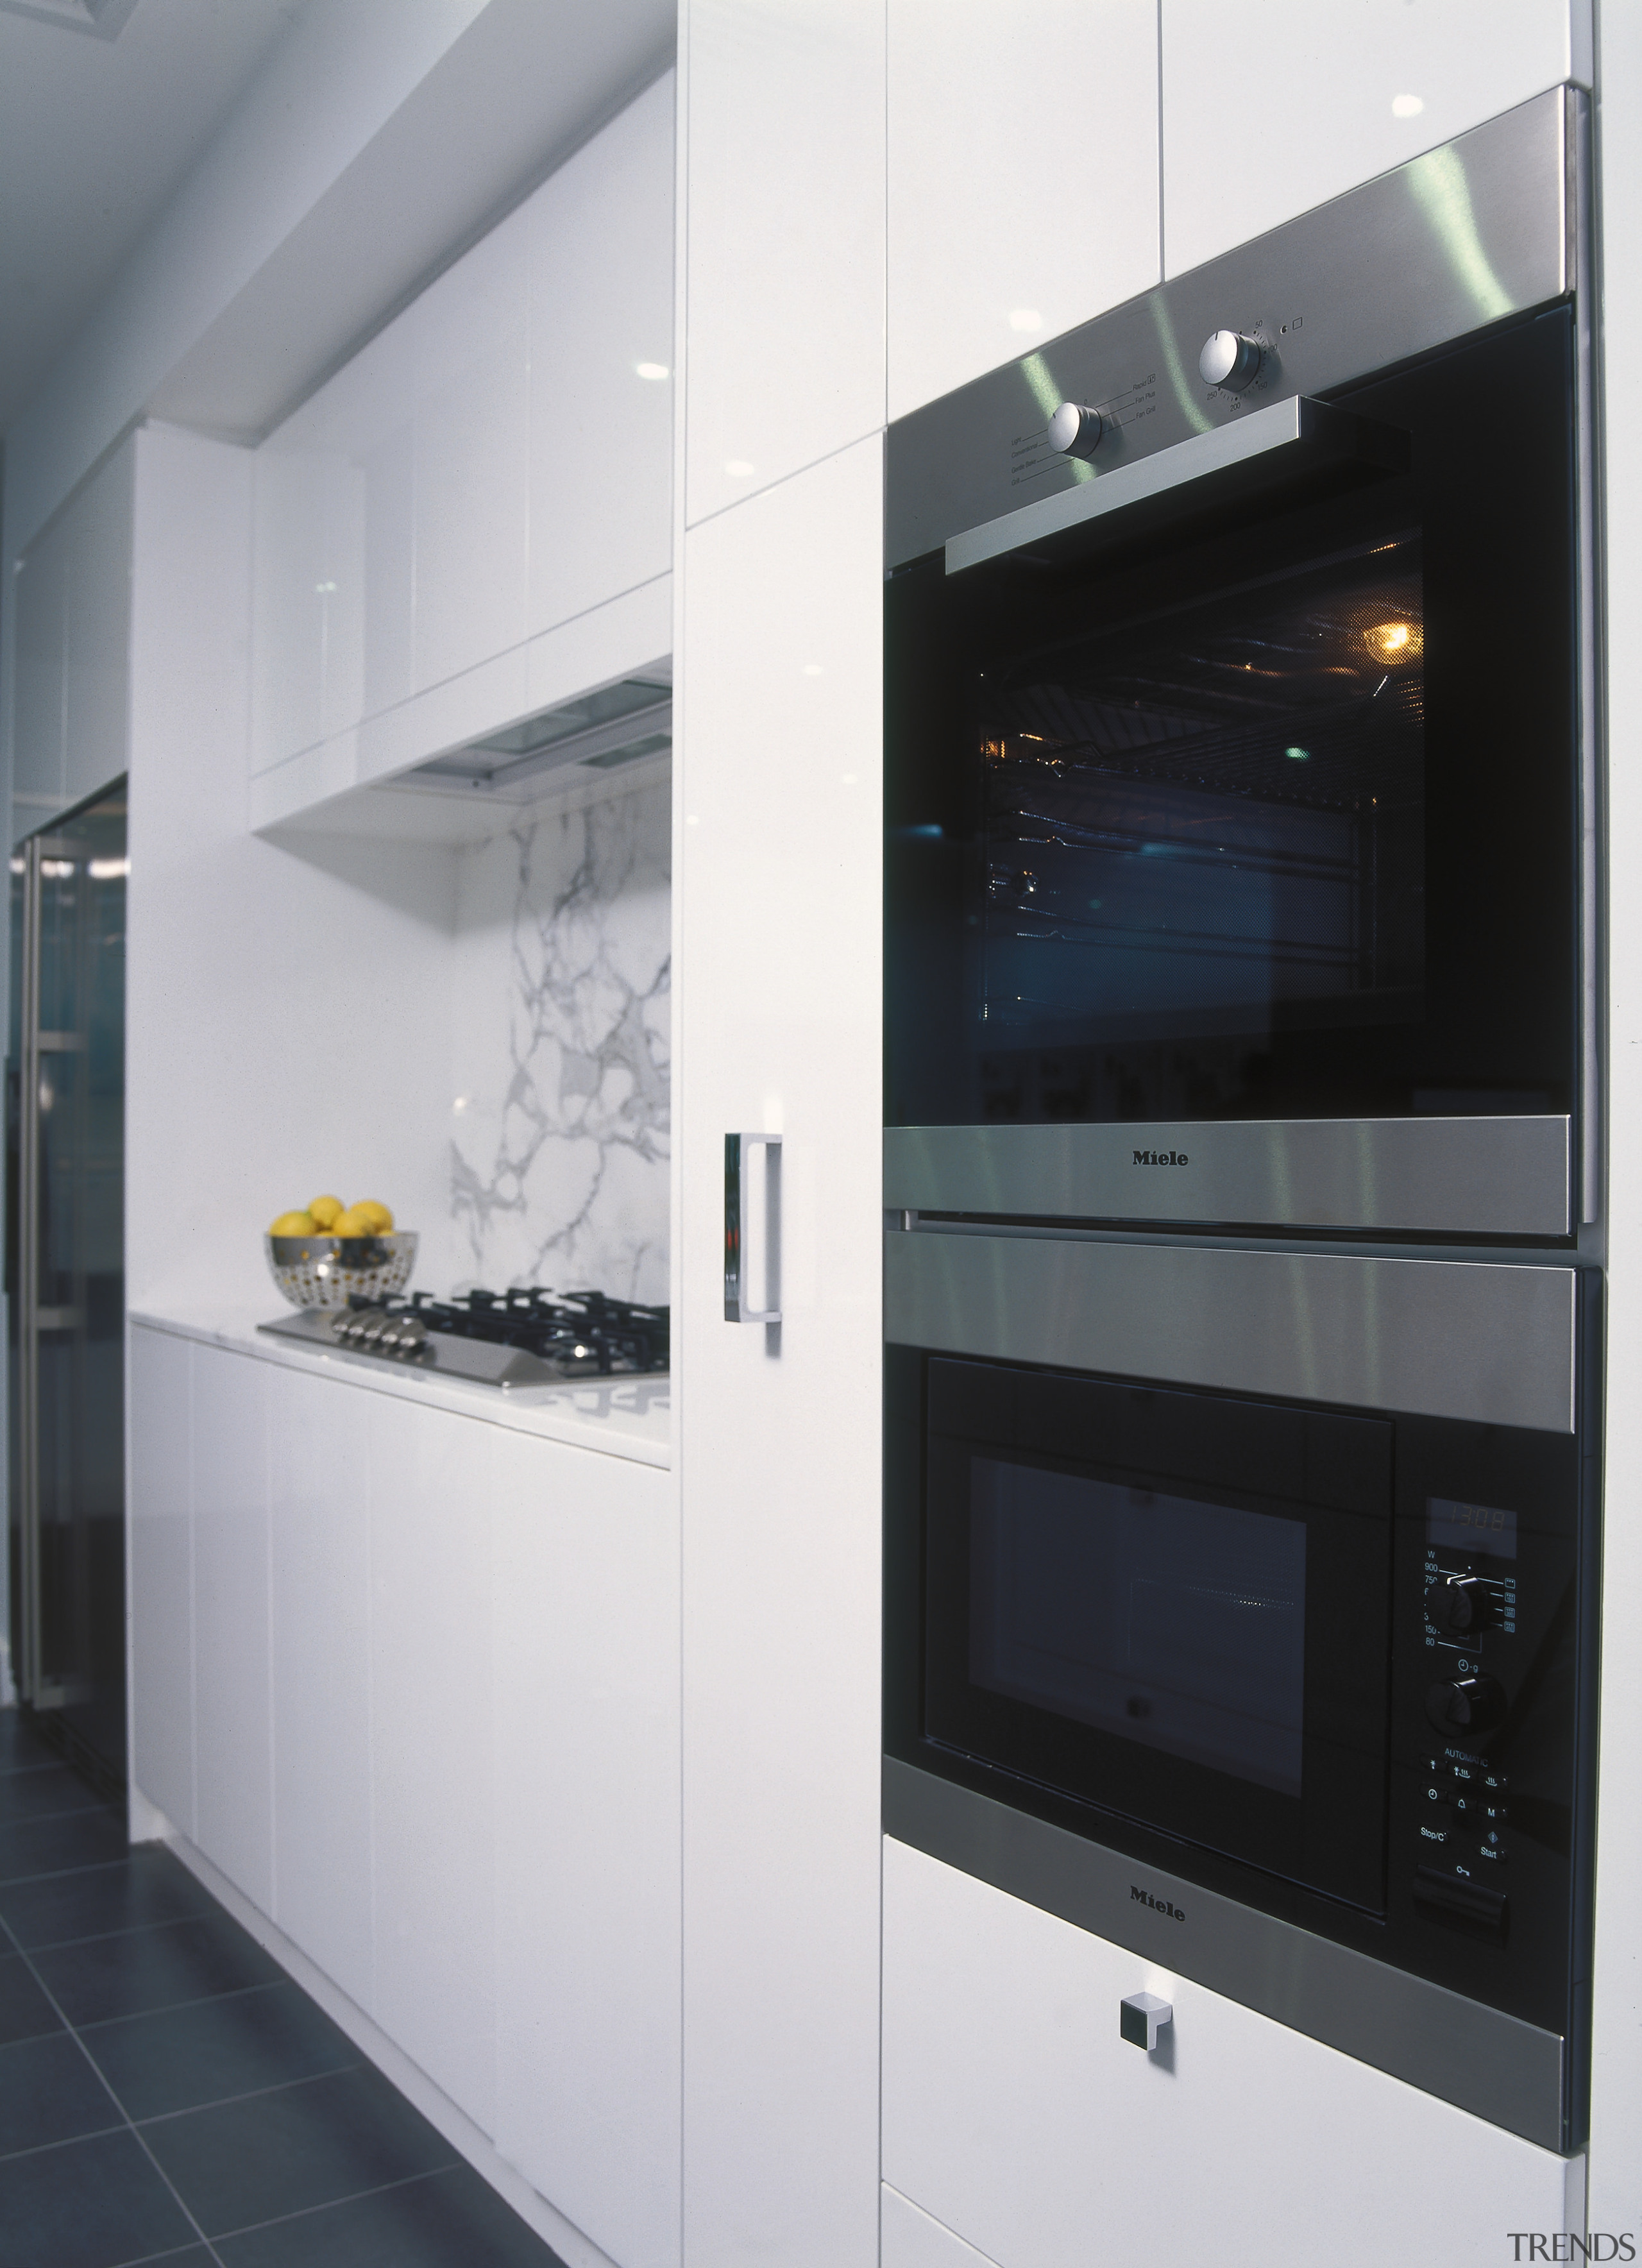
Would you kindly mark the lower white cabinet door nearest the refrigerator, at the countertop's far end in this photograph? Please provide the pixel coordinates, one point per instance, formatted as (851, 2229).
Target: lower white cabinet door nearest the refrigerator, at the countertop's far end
(160, 1391)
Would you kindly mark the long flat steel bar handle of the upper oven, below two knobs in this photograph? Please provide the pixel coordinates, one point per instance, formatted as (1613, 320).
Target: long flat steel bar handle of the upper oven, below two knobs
(1292, 446)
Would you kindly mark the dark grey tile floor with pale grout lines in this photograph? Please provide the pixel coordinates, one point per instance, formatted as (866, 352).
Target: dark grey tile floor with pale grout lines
(169, 2094)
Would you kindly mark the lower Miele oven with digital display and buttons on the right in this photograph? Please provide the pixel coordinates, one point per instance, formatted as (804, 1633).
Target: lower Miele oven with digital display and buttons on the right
(1242, 1609)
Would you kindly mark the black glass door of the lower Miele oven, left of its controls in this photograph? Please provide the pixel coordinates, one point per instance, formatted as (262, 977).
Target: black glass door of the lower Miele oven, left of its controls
(1169, 1607)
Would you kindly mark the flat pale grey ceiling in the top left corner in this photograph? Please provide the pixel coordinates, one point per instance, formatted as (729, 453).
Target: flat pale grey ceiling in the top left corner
(94, 139)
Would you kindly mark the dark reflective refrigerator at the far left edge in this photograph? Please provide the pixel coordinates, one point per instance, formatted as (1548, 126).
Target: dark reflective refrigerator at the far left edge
(67, 1283)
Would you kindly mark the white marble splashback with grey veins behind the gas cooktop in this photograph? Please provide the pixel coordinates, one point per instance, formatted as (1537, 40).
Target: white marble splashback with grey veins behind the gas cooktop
(559, 1153)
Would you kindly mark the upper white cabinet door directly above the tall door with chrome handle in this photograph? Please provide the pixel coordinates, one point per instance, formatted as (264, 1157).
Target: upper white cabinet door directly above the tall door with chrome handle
(786, 217)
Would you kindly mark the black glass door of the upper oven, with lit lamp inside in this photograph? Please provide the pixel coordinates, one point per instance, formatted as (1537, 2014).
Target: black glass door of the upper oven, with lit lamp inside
(1271, 815)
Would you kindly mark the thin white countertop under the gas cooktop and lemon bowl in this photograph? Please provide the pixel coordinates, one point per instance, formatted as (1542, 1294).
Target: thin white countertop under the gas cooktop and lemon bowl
(618, 1416)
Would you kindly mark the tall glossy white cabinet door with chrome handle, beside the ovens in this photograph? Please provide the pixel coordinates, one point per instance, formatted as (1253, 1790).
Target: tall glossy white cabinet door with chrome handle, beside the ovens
(779, 1019)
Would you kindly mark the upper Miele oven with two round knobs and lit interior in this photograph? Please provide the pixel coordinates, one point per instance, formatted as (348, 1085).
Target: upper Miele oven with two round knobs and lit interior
(1237, 736)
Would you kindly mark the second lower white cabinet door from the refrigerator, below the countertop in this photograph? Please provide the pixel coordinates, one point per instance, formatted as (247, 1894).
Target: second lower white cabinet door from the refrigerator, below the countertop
(230, 1618)
